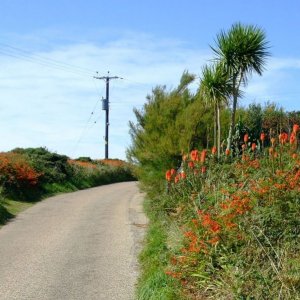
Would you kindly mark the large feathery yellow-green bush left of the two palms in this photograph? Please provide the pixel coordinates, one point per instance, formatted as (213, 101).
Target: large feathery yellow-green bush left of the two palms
(169, 124)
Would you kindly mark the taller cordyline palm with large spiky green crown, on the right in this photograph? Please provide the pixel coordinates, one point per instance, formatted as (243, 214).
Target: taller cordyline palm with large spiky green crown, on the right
(242, 51)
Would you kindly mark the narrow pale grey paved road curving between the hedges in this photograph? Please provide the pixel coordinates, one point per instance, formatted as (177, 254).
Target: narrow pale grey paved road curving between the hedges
(81, 245)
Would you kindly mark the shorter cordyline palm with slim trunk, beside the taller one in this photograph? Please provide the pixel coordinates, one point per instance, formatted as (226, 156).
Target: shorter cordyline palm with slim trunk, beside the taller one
(215, 88)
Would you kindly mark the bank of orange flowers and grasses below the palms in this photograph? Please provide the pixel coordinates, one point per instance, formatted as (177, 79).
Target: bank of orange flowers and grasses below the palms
(232, 226)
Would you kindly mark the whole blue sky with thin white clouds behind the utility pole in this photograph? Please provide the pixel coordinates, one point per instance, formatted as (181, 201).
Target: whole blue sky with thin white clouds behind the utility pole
(46, 101)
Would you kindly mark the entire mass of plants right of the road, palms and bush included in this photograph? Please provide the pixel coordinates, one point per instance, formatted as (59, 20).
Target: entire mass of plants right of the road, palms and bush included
(223, 183)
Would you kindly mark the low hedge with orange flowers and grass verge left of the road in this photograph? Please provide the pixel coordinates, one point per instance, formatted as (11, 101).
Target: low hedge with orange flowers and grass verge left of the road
(28, 175)
